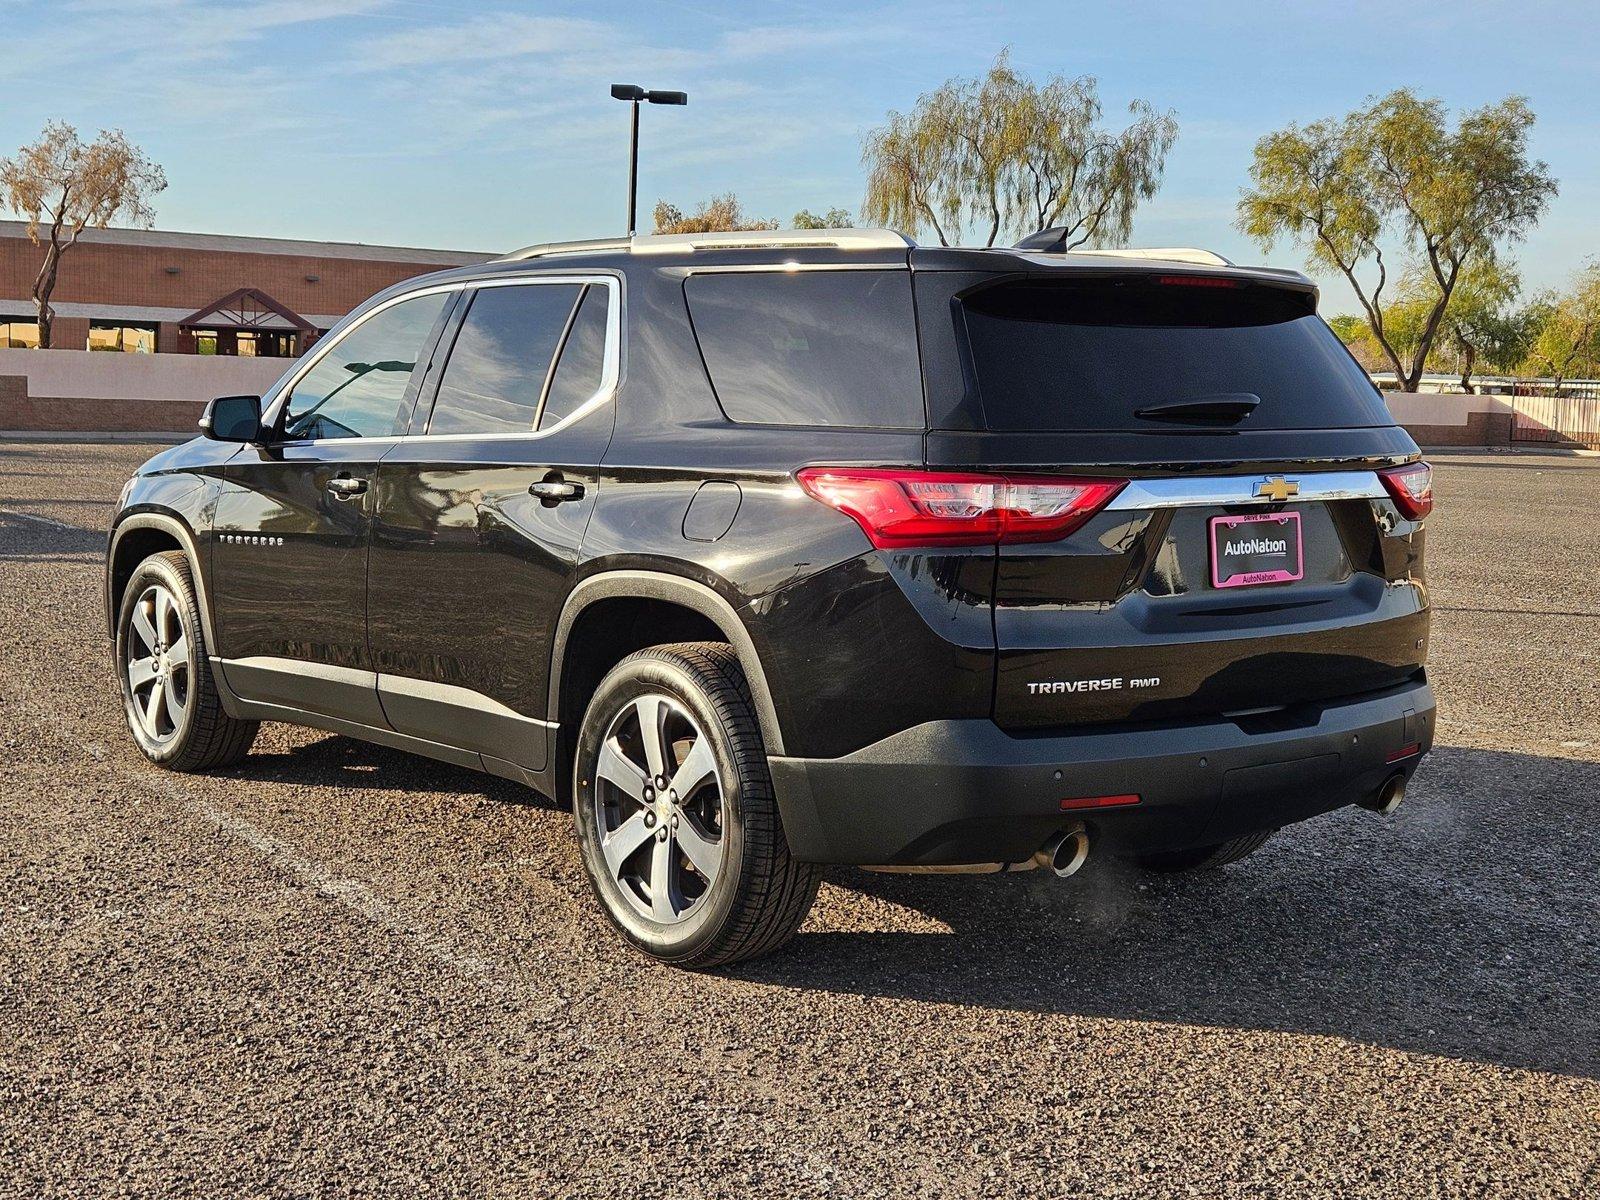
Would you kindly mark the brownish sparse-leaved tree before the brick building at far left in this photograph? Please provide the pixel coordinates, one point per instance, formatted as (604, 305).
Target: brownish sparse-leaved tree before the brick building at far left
(62, 188)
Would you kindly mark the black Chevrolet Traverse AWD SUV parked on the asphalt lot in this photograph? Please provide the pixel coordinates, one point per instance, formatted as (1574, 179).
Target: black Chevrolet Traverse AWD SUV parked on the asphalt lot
(769, 551)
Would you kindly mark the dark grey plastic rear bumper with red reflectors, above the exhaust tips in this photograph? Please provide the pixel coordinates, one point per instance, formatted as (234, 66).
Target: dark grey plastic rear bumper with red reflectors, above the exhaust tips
(966, 791)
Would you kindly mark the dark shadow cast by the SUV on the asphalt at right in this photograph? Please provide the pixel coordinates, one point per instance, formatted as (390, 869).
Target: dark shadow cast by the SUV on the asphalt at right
(1466, 926)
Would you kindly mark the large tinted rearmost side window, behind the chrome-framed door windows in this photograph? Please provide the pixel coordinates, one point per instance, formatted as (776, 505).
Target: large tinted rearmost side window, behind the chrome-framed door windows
(810, 348)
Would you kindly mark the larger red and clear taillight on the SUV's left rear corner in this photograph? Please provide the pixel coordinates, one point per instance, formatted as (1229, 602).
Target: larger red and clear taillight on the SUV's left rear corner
(930, 508)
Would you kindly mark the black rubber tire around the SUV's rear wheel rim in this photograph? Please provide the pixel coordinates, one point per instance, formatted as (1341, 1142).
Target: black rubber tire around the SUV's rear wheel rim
(759, 895)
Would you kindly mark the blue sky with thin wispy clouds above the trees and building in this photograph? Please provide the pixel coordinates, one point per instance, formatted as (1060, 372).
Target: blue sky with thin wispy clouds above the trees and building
(489, 126)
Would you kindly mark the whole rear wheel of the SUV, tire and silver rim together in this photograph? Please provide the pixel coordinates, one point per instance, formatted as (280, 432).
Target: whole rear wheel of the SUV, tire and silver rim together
(676, 815)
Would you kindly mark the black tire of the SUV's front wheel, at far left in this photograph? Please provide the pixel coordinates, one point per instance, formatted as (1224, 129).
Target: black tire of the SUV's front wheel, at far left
(202, 737)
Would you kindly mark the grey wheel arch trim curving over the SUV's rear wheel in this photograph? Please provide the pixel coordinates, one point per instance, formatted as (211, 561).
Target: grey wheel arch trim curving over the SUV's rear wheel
(708, 612)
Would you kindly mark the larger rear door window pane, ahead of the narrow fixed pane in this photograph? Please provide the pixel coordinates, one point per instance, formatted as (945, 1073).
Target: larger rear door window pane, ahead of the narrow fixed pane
(502, 359)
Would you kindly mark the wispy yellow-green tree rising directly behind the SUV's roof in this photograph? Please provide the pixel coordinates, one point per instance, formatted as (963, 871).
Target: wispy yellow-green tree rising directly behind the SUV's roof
(1007, 156)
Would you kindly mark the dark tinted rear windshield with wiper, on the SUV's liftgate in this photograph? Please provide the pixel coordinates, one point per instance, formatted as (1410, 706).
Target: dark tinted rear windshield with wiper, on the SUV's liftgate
(1097, 354)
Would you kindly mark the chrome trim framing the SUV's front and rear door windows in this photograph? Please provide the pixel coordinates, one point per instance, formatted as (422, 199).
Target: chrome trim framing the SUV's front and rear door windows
(610, 369)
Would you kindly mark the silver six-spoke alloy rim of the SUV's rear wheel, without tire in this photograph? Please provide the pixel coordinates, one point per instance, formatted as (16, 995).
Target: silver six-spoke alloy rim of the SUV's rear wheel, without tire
(660, 809)
